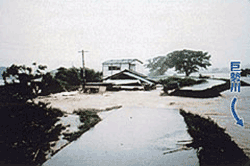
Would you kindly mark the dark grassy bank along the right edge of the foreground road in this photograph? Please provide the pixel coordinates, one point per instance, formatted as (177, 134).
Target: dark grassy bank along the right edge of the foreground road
(213, 145)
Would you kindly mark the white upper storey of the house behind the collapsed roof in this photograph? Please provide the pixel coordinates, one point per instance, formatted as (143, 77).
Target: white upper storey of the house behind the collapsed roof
(111, 67)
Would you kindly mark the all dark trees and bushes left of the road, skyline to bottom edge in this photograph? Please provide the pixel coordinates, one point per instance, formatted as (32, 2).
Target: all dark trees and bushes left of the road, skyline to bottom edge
(28, 129)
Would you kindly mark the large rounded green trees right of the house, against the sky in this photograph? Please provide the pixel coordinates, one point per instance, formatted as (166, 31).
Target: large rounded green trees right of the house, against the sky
(184, 61)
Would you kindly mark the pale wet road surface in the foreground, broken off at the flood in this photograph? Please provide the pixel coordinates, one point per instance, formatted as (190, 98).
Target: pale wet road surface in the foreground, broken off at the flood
(131, 136)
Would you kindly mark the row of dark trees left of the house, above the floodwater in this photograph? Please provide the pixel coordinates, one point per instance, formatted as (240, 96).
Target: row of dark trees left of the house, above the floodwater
(23, 82)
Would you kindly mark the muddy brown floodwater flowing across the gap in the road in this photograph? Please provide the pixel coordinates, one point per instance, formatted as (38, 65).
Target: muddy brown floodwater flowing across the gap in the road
(217, 108)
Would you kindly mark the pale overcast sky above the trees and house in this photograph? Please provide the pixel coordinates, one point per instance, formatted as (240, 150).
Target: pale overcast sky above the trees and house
(52, 32)
